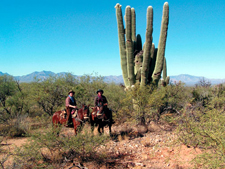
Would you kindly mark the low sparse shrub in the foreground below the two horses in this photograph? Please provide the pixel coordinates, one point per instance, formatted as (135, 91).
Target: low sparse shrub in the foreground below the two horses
(46, 149)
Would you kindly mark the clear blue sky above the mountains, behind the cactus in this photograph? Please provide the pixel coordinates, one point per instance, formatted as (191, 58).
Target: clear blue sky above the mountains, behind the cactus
(81, 37)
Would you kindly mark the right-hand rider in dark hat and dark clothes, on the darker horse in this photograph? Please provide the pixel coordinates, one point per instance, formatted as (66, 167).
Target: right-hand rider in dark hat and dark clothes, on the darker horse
(100, 102)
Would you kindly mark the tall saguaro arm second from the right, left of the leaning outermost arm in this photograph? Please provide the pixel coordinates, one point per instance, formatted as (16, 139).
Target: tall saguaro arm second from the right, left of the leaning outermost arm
(148, 45)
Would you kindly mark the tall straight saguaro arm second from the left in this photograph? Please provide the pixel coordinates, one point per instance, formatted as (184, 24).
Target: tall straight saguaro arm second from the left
(129, 47)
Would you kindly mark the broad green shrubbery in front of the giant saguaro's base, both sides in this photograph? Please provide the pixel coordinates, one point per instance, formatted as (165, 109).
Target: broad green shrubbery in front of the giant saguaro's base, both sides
(147, 103)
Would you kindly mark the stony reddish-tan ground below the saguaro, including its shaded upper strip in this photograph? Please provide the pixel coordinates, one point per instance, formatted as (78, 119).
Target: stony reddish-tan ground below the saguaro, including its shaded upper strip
(136, 147)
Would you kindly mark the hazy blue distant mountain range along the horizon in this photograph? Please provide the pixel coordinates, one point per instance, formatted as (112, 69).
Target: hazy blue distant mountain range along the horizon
(189, 80)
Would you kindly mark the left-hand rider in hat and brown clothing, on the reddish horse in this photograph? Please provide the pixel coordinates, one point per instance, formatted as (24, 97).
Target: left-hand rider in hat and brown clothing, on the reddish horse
(71, 106)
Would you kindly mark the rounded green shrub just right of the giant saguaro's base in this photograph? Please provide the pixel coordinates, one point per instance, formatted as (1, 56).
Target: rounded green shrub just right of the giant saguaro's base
(171, 99)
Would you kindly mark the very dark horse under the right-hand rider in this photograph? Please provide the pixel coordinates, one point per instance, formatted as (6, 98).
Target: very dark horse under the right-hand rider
(101, 122)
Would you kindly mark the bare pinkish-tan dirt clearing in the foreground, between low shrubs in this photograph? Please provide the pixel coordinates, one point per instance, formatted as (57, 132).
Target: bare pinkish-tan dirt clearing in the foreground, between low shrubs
(152, 150)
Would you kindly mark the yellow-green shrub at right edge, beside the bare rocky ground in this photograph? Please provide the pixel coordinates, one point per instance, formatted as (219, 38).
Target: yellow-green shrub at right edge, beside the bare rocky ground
(206, 131)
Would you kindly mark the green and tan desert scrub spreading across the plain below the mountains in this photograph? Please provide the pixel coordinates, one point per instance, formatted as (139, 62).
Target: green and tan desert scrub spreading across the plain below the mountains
(195, 114)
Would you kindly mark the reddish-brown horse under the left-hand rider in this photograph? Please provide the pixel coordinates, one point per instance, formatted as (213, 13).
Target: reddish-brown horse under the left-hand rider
(59, 117)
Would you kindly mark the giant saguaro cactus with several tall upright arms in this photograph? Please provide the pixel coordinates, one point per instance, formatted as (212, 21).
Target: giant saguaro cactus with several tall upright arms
(141, 65)
